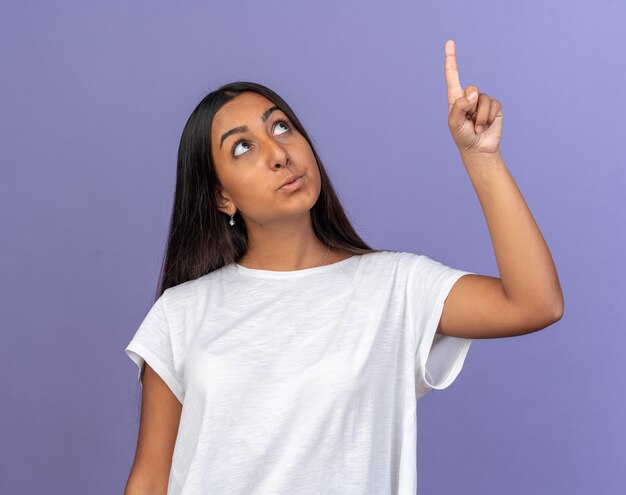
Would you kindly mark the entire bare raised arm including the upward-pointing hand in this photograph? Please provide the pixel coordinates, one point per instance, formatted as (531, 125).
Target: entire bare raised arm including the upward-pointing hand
(527, 297)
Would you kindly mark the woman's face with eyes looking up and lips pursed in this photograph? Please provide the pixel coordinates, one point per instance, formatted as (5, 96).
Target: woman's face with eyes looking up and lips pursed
(255, 149)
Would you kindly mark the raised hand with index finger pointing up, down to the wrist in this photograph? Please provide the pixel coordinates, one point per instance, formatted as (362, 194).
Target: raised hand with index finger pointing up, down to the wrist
(474, 130)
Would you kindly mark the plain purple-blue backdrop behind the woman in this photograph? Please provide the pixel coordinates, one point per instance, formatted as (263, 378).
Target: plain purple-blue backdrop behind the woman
(94, 99)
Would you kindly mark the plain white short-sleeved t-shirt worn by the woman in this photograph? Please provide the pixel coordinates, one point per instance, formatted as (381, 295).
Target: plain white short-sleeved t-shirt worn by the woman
(302, 382)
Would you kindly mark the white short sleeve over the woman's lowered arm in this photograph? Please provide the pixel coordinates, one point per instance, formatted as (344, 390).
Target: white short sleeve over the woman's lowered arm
(152, 343)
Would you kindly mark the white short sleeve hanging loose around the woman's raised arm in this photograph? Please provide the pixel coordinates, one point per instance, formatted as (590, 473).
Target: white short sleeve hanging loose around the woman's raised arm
(438, 358)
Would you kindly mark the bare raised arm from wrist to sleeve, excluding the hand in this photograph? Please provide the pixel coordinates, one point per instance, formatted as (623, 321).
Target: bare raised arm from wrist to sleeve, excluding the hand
(527, 297)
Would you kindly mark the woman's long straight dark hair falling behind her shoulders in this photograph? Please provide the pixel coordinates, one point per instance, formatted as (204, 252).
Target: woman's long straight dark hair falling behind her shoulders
(200, 239)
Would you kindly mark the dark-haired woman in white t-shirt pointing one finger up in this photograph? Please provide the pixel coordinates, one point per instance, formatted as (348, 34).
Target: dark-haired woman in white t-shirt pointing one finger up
(283, 354)
